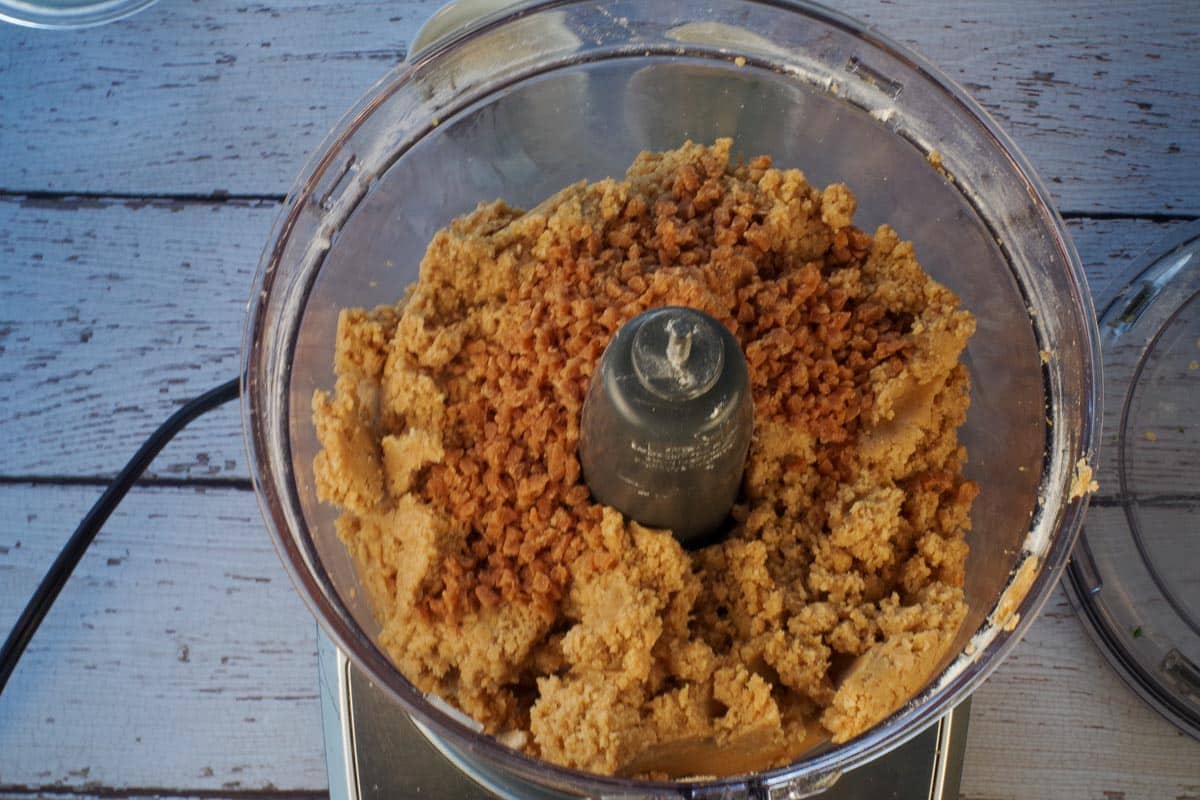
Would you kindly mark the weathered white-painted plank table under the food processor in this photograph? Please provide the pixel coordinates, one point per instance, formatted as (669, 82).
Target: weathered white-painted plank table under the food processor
(141, 167)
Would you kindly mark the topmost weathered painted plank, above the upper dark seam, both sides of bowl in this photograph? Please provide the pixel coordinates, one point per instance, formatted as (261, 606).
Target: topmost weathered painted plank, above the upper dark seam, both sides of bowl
(200, 98)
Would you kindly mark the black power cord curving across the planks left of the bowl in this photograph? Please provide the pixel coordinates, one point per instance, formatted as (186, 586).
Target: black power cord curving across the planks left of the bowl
(69, 557)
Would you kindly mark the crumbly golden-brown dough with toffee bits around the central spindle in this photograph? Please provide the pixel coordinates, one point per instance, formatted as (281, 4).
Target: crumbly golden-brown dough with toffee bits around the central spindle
(580, 636)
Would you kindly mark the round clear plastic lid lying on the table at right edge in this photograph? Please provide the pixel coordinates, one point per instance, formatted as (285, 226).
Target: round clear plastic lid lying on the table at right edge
(1135, 576)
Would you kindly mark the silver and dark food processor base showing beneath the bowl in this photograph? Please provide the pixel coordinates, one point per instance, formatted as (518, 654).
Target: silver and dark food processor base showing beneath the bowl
(374, 750)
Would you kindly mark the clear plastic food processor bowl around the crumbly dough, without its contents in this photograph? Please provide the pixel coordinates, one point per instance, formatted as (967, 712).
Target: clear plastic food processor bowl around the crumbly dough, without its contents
(533, 99)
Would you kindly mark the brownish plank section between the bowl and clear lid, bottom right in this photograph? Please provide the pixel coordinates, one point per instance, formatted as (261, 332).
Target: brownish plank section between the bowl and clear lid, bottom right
(1055, 721)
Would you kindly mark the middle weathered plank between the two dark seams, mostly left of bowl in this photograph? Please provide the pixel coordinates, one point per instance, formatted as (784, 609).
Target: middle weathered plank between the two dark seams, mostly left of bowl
(115, 312)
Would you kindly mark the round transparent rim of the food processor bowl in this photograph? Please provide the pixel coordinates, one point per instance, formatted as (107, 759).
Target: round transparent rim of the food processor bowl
(898, 727)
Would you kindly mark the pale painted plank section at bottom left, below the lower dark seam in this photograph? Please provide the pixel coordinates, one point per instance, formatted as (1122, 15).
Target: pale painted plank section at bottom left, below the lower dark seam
(178, 655)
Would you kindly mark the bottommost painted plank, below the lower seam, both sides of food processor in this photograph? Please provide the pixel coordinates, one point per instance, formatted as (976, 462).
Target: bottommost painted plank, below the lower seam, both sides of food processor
(181, 657)
